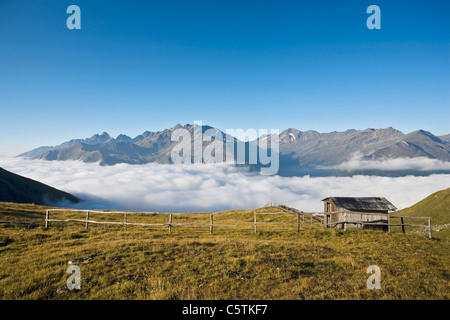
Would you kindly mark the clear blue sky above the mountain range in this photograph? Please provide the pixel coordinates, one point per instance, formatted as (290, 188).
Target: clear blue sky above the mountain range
(137, 66)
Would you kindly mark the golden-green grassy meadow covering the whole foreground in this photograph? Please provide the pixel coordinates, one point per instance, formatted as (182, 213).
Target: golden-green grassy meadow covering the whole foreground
(232, 263)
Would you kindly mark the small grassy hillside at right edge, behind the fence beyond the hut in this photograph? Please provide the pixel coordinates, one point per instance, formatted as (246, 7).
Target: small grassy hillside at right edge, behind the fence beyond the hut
(435, 206)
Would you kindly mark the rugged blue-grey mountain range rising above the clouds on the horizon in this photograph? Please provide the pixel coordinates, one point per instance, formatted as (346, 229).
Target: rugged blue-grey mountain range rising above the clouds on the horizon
(300, 152)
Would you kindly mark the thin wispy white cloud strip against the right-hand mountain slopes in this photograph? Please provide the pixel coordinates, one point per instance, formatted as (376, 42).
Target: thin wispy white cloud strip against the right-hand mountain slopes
(399, 164)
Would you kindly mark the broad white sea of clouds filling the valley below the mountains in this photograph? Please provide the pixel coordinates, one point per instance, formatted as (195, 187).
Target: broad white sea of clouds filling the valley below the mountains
(200, 187)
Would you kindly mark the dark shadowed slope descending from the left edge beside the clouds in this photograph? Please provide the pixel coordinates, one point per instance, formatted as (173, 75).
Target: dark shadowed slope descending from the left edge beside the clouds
(18, 189)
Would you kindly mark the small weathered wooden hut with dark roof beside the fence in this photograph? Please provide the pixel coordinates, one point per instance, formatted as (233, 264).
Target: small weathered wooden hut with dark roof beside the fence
(357, 213)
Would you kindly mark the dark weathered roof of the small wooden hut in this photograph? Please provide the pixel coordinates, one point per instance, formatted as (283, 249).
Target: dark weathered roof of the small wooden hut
(363, 203)
